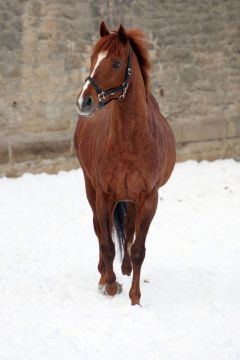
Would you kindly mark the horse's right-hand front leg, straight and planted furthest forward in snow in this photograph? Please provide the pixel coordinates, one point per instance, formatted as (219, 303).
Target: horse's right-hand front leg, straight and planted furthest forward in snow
(145, 213)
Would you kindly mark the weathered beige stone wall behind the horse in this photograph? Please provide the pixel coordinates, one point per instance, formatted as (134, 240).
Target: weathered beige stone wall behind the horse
(44, 57)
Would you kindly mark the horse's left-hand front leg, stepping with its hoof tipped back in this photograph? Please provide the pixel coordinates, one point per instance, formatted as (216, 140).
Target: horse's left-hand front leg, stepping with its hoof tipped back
(107, 249)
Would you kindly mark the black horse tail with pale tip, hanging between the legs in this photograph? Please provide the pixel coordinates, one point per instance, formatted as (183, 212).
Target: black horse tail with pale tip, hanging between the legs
(119, 225)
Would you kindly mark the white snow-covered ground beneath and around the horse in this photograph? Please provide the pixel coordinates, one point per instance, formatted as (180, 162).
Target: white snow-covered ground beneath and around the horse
(49, 305)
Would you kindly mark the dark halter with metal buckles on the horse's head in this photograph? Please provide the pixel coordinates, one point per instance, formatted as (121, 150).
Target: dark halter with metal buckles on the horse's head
(102, 94)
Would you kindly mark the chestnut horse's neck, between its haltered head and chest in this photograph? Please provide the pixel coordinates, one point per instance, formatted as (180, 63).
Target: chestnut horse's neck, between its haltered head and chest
(129, 121)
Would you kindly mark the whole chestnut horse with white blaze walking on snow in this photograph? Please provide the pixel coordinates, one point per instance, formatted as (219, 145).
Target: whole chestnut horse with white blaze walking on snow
(126, 150)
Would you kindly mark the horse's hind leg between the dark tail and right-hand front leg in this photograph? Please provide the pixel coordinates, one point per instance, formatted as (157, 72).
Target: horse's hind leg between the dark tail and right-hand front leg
(130, 230)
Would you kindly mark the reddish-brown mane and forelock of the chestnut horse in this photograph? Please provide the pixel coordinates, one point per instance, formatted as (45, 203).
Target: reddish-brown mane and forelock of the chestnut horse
(139, 45)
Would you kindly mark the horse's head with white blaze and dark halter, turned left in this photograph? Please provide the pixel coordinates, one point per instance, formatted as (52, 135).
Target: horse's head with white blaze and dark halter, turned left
(110, 71)
